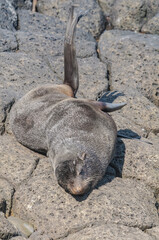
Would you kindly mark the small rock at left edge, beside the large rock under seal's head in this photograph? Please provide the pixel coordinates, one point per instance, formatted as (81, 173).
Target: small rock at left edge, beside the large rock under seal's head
(6, 195)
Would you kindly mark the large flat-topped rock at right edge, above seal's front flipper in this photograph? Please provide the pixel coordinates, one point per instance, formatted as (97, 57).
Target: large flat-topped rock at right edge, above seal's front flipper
(133, 60)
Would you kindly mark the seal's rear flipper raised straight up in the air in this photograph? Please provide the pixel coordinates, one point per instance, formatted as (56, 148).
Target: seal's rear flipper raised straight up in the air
(71, 76)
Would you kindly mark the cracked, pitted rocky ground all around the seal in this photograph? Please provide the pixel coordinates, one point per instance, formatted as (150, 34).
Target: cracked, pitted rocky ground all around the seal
(118, 55)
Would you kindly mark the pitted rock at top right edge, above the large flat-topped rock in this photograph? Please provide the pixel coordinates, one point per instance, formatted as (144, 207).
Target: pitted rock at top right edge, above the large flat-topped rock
(130, 15)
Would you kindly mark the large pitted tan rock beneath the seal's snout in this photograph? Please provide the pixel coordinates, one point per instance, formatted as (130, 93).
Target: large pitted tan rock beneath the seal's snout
(68, 214)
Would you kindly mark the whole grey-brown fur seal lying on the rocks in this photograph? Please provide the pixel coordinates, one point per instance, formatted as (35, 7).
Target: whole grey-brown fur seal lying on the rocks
(78, 136)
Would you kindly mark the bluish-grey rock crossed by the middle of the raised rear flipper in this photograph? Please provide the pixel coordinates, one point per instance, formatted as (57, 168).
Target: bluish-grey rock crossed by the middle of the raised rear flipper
(52, 44)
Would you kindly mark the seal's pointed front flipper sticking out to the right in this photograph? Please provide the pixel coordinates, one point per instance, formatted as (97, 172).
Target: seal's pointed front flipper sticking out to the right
(108, 107)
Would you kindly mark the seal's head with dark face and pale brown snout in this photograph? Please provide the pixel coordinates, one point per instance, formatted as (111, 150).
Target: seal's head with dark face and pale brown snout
(78, 176)
